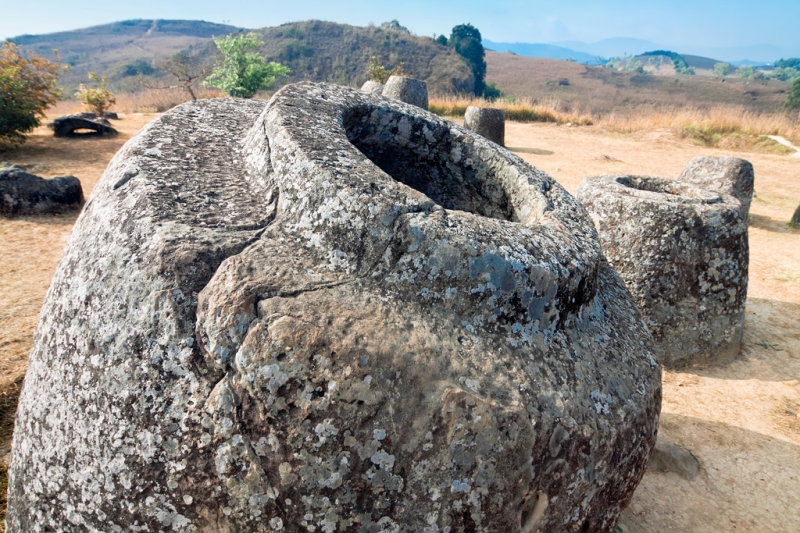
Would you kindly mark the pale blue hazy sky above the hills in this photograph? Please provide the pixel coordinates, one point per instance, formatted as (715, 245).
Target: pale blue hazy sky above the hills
(719, 23)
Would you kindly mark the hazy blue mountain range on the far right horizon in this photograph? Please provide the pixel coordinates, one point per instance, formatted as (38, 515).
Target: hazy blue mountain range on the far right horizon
(621, 46)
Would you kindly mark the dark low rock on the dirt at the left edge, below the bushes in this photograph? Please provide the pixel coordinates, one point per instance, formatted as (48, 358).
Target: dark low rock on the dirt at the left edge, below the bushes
(22, 193)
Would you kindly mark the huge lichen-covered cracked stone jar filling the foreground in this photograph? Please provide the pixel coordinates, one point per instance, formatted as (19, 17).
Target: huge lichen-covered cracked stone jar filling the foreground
(332, 312)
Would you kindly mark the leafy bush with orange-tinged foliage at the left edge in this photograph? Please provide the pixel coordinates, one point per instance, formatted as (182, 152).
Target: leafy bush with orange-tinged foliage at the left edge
(27, 88)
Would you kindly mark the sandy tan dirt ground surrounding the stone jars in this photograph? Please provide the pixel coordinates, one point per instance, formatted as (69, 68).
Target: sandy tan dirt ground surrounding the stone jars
(741, 421)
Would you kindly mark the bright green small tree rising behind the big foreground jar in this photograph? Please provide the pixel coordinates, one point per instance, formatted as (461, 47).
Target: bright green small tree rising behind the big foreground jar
(242, 71)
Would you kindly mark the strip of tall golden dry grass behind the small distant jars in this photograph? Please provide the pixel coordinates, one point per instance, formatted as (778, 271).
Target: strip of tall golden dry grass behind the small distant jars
(517, 110)
